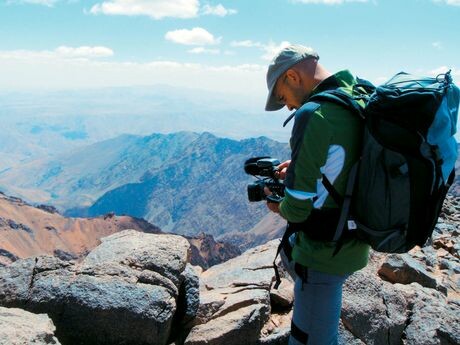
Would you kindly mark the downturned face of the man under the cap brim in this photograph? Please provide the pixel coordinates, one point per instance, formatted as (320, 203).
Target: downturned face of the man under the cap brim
(289, 92)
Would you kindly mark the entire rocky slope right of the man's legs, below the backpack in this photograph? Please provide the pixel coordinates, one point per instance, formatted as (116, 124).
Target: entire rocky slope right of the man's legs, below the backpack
(409, 298)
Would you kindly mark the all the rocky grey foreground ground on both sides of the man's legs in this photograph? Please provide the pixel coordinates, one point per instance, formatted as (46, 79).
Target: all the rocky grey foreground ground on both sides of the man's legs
(139, 288)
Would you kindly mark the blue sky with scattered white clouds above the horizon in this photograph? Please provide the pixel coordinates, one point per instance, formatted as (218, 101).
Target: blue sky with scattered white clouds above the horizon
(217, 45)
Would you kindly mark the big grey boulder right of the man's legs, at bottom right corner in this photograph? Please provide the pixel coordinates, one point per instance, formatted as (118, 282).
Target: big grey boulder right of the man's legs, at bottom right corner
(381, 312)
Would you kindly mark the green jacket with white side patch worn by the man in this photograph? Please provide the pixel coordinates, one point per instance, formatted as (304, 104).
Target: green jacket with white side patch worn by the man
(325, 139)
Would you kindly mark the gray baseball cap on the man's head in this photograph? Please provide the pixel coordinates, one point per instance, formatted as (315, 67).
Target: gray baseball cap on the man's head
(284, 60)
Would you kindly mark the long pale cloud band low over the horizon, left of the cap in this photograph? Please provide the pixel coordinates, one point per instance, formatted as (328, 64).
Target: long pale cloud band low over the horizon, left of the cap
(48, 70)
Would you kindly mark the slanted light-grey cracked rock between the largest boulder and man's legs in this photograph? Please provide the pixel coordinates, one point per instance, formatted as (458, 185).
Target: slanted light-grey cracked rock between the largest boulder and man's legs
(235, 301)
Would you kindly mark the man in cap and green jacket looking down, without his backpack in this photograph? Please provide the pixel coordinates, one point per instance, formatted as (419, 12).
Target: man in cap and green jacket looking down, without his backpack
(325, 140)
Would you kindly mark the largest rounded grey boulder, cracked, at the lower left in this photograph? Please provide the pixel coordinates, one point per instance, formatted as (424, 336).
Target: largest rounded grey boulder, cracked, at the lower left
(127, 290)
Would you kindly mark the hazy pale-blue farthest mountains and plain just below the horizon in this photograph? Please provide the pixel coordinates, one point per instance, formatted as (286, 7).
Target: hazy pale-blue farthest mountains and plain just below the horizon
(45, 124)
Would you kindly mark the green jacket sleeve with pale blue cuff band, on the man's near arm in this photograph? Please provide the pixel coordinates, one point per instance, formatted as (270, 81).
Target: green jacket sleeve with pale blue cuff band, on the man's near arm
(310, 140)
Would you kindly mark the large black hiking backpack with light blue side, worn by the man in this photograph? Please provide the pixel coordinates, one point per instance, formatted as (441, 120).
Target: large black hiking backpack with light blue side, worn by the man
(396, 190)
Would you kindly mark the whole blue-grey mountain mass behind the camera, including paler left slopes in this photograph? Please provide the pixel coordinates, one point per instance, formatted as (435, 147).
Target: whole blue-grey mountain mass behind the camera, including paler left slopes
(182, 182)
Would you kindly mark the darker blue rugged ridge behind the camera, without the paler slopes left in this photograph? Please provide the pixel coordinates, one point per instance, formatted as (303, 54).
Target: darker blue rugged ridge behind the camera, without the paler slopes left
(204, 190)
